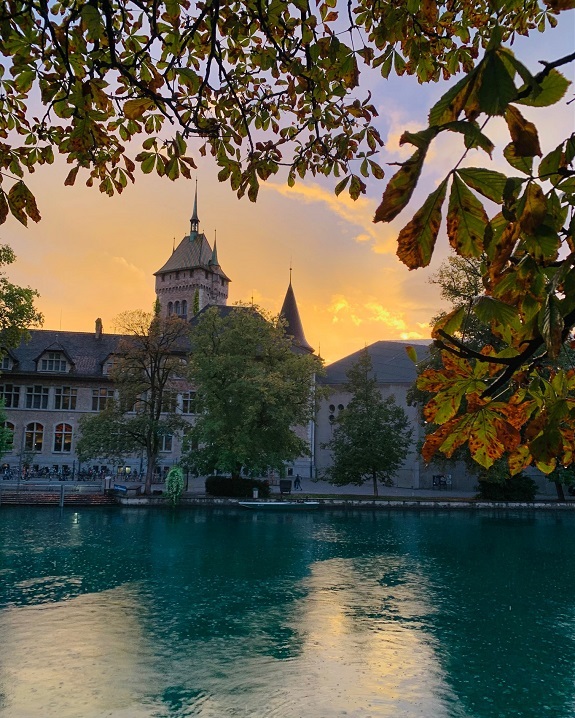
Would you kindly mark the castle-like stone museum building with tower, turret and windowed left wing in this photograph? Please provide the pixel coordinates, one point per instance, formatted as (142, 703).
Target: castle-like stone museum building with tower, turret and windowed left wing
(49, 382)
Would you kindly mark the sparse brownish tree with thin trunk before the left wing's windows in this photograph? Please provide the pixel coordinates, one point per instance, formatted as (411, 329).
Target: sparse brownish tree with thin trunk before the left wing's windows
(147, 371)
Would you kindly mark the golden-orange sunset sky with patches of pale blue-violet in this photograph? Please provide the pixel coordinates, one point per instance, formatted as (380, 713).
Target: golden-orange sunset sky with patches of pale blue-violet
(94, 256)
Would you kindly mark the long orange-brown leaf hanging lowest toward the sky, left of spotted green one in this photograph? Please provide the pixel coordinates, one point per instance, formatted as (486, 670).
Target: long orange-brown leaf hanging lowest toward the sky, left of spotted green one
(416, 240)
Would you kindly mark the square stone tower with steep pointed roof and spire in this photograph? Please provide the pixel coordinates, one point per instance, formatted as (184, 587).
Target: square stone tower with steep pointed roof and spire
(192, 276)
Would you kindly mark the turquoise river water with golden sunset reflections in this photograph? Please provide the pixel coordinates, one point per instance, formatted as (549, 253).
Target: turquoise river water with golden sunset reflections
(141, 614)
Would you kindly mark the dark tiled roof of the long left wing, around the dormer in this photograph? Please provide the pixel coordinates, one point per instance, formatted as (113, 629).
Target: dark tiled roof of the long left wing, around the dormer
(84, 350)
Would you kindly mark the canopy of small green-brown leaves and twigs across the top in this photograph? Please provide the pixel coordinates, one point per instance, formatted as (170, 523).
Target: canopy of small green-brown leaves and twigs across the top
(257, 84)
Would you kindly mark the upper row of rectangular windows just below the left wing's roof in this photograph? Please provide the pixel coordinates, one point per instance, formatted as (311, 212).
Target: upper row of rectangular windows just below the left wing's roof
(65, 398)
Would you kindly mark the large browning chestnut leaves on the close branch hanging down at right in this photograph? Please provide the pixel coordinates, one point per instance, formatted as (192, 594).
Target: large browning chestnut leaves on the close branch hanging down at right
(517, 401)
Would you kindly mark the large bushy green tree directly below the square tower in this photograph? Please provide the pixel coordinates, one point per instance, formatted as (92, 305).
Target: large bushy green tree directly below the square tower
(252, 391)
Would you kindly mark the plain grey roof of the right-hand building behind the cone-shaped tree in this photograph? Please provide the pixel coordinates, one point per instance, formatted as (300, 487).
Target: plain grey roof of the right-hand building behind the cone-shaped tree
(391, 365)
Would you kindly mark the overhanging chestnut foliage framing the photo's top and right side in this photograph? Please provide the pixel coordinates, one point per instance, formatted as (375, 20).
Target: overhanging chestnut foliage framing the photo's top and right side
(268, 86)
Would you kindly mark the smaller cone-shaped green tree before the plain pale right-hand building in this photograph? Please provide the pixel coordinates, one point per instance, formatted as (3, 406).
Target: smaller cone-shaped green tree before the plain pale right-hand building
(371, 436)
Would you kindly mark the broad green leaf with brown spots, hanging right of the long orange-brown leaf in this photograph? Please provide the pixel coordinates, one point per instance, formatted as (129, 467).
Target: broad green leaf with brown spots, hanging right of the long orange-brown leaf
(466, 220)
